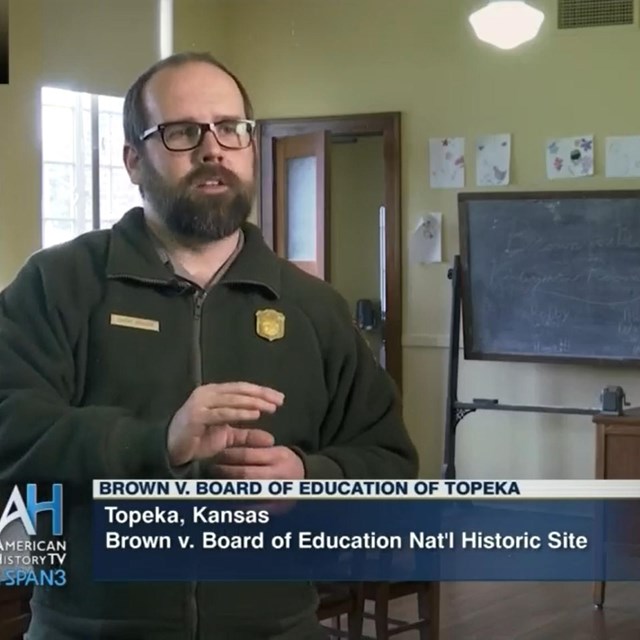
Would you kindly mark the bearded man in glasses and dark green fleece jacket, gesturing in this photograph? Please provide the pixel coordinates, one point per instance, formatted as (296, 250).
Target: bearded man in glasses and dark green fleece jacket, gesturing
(178, 345)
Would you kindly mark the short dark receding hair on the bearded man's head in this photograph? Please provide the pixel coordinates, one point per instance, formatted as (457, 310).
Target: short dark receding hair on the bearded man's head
(135, 116)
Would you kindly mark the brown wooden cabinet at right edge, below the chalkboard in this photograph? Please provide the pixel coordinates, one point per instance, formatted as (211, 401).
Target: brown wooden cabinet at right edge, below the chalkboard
(618, 458)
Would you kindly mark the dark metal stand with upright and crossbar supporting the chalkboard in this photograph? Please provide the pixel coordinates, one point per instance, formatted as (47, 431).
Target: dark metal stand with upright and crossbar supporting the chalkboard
(456, 410)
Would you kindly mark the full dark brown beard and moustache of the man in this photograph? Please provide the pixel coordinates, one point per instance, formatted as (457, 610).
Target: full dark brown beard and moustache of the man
(199, 217)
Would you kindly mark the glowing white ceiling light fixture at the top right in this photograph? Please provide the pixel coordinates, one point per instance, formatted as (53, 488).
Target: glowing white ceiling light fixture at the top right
(506, 24)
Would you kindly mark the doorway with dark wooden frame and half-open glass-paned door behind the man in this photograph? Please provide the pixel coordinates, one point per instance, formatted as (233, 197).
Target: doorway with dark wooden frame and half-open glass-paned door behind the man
(295, 150)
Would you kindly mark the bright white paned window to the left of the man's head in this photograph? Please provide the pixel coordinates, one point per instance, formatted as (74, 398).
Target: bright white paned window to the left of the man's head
(84, 183)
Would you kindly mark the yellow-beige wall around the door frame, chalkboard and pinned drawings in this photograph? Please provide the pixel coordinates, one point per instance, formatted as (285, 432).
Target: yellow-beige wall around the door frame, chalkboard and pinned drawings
(301, 57)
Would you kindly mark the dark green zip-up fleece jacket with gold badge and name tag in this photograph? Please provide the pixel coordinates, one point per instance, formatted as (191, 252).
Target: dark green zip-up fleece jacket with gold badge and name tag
(101, 343)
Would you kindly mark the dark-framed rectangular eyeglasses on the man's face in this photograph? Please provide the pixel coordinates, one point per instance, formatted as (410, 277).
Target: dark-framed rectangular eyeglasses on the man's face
(185, 136)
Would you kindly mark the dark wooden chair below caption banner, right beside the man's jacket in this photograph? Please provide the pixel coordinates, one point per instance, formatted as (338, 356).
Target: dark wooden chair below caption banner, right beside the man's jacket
(338, 599)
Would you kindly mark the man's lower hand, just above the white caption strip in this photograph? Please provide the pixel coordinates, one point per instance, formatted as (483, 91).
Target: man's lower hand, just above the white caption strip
(258, 463)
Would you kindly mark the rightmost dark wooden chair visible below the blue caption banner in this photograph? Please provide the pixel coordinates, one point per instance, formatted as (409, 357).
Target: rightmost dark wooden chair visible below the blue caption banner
(428, 604)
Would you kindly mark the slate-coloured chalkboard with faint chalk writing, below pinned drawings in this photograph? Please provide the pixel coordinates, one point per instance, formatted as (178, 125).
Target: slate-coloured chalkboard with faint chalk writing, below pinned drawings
(551, 277)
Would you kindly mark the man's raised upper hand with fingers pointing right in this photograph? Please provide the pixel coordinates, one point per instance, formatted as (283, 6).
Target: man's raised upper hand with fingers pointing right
(203, 426)
